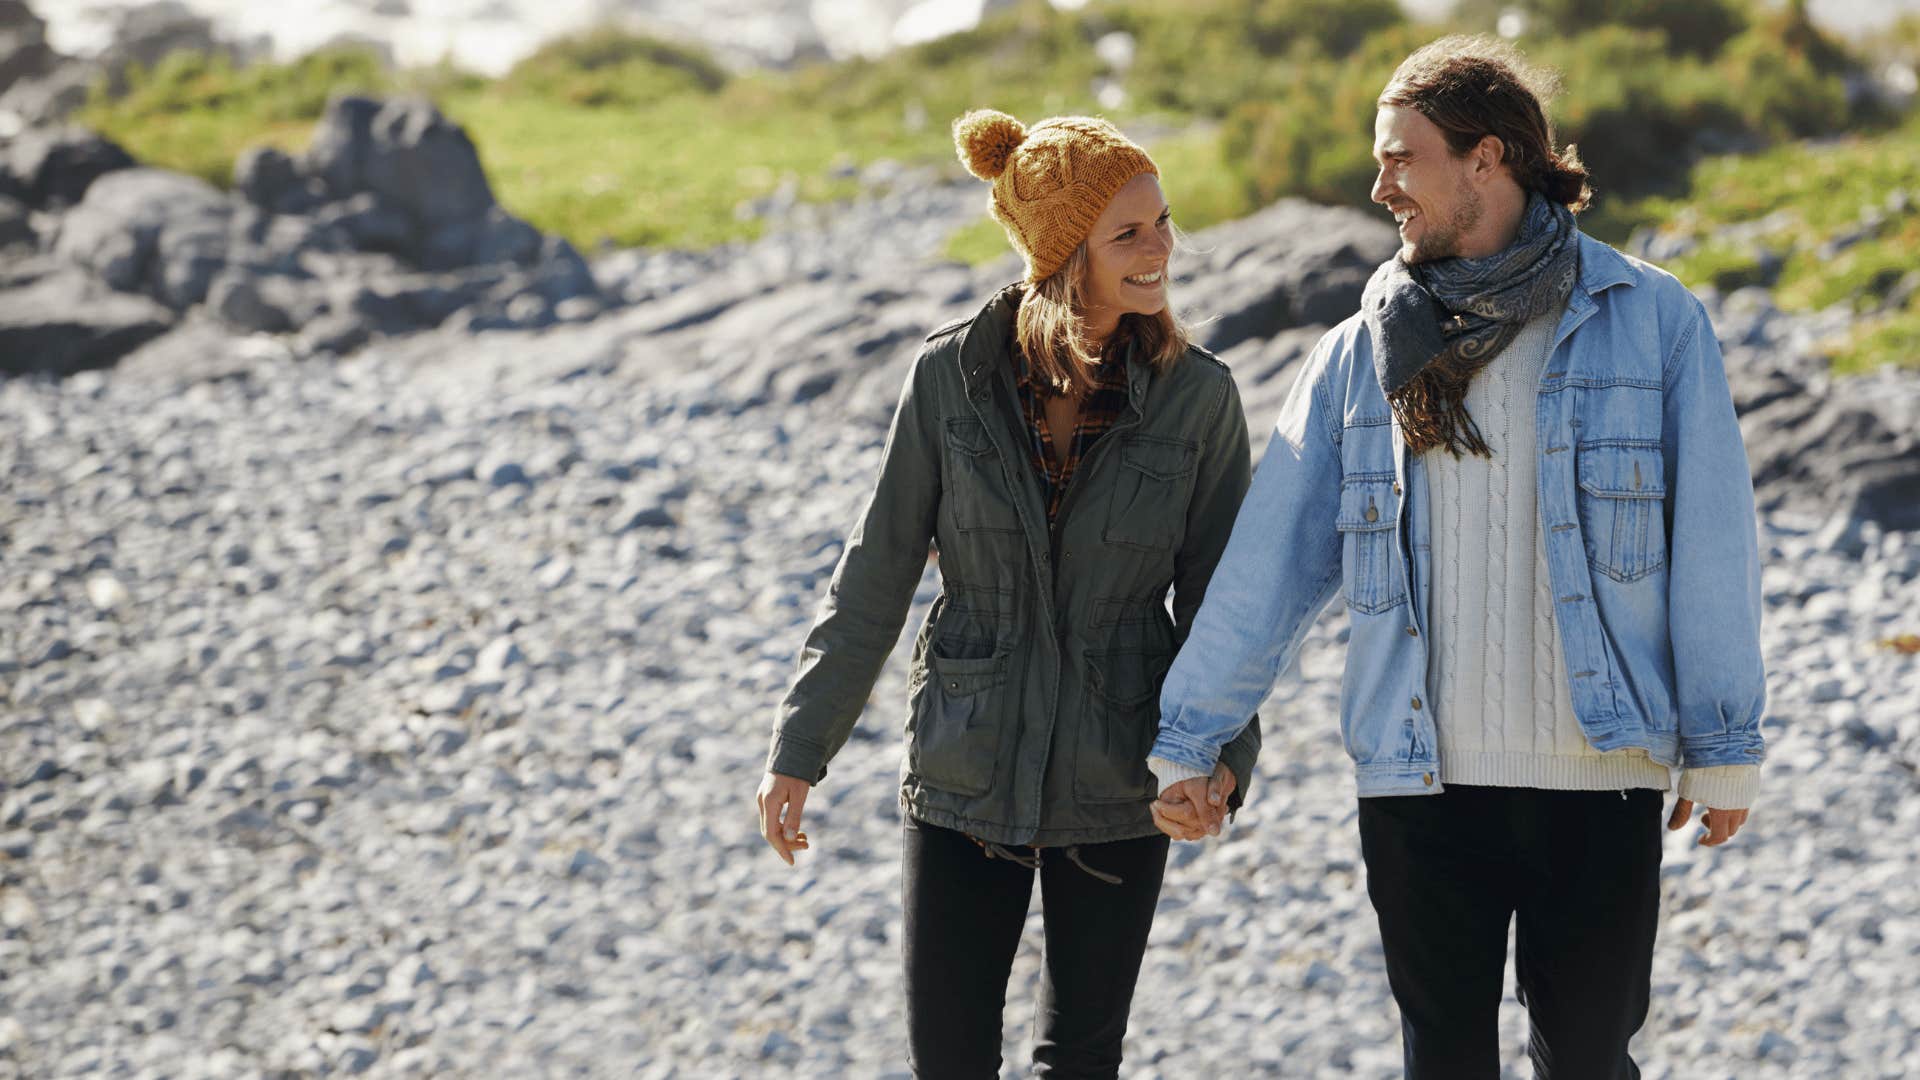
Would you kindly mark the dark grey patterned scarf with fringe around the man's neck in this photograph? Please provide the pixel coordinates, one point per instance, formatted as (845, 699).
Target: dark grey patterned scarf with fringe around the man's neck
(1437, 324)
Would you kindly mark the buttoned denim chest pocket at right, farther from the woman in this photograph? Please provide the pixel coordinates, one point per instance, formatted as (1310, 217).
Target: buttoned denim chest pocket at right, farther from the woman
(1623, 506)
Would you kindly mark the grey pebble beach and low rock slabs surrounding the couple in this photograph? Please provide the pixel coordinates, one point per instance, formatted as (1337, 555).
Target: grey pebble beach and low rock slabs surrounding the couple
(400, 716)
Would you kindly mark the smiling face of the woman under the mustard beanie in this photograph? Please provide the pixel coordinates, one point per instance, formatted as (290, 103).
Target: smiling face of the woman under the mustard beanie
(1128, 257)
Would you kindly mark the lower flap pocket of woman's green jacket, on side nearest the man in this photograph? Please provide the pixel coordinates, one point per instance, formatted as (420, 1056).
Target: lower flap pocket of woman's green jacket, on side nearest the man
(1118, 727)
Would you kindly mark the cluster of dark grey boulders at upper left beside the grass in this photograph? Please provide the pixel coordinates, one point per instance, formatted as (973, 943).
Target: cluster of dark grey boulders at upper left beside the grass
(387, 226)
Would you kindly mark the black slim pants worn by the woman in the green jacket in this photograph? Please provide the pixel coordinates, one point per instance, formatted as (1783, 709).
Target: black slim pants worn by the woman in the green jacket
(965, 914)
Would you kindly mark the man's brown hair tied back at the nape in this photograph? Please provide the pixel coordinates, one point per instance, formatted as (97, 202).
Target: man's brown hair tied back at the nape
(1472, 87)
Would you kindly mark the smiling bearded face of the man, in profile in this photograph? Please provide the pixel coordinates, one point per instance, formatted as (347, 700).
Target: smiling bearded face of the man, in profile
(1424, 184)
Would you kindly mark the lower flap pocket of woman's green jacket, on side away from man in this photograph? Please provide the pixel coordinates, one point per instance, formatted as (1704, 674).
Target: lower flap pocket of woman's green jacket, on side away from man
(955, 737)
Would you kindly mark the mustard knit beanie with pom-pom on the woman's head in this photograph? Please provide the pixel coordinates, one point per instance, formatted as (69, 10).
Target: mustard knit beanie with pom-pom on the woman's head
(1051, 182)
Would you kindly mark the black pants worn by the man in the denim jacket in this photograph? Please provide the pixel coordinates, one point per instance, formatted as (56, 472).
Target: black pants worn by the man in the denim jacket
(1579, 871)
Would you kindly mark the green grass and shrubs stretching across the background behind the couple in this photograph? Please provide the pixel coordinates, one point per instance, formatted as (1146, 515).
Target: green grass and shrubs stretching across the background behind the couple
(621, 139)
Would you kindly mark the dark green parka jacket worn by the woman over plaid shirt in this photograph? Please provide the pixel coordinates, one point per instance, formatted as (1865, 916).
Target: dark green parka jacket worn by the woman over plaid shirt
(1036, 677)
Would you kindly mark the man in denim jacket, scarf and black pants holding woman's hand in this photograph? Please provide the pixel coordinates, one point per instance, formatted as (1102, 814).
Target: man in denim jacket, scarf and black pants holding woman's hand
(1522, 466)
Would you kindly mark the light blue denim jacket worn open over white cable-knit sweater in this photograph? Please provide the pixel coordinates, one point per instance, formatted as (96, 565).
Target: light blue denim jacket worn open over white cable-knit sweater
(1648, 516)
